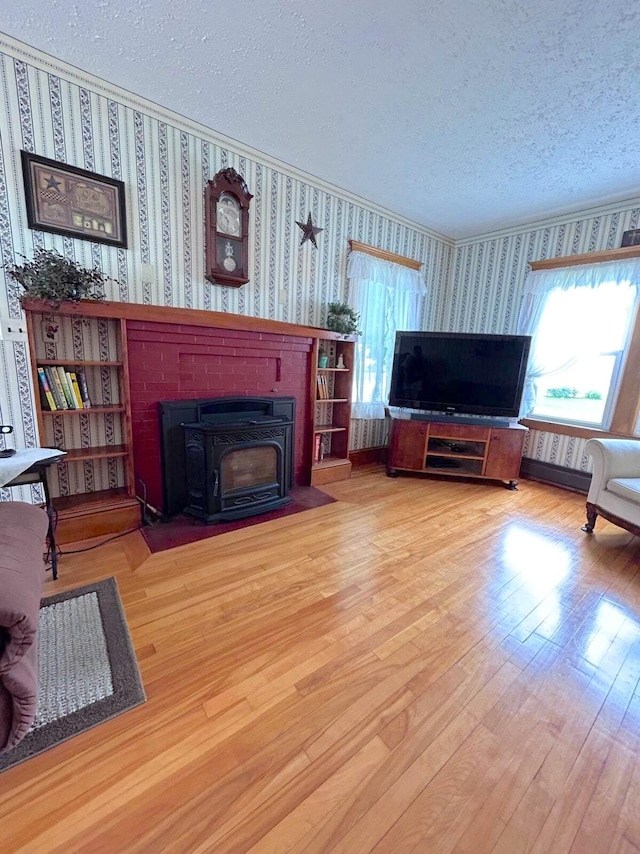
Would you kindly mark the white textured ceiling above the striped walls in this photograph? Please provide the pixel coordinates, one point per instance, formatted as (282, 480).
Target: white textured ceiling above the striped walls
(463, 115)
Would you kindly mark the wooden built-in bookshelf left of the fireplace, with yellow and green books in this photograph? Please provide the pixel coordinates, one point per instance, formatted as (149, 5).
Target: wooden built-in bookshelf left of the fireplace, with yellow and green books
(80, 376)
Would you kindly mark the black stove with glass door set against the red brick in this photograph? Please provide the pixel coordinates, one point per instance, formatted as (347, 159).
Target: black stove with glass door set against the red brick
(228, 457)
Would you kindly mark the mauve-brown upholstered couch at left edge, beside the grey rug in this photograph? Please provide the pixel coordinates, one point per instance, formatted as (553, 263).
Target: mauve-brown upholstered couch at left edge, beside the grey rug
(23, 529)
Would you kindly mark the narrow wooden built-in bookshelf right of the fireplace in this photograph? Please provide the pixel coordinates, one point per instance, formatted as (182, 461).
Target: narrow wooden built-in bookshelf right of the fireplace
(332, 389)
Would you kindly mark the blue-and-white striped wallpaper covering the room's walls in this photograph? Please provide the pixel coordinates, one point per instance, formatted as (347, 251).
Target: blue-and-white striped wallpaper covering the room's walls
(54, 110)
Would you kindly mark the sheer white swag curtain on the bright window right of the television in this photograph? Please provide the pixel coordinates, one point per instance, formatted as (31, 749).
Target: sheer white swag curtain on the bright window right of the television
(577, 300)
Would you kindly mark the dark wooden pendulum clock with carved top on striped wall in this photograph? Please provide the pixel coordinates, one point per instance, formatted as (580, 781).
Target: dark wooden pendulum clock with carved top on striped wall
(226, 202)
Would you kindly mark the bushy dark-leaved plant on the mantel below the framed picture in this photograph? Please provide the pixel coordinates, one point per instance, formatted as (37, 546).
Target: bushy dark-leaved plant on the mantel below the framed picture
(54, 279)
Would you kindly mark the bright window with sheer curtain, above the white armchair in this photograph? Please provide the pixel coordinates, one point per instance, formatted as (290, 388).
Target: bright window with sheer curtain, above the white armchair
(580, 319)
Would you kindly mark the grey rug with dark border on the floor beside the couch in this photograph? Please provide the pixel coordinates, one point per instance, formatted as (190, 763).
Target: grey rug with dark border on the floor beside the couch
(87, 669)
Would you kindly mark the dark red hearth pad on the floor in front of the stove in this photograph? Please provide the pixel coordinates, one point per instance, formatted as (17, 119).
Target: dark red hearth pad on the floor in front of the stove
(185, 529)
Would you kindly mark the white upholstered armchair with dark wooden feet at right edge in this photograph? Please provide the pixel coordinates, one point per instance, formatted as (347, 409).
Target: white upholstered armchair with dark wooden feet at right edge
(614, 493)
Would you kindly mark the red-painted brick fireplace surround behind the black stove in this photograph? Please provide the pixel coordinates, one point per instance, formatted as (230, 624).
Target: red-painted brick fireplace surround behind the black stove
(171, 361)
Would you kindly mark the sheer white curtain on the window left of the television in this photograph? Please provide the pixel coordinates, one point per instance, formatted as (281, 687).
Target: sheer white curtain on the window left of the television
(388, 297)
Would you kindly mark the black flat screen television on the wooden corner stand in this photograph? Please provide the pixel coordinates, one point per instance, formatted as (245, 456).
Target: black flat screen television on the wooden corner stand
(456, 372)
